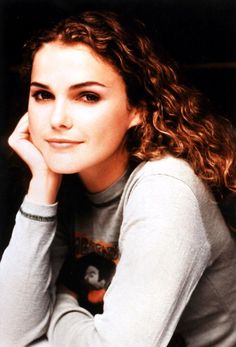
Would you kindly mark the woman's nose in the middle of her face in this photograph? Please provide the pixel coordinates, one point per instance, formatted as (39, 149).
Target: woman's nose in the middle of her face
(60, 117)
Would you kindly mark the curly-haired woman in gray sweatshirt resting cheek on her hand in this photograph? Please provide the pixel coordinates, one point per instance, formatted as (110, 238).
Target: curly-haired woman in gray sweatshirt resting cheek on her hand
(147, 157)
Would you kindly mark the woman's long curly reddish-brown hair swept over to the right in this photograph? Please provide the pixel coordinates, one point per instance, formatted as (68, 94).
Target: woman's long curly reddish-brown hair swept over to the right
(175, 118)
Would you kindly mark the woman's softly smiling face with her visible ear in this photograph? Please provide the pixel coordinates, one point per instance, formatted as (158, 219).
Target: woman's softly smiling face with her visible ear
(79, 114)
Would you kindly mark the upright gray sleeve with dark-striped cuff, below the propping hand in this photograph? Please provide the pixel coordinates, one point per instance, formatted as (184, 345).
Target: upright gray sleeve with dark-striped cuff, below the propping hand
(27, 272)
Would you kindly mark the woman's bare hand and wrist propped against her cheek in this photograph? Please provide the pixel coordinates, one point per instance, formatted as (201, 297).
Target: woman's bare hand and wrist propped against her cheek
(45, 183)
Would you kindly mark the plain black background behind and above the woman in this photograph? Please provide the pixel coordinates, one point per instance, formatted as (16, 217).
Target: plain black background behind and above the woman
(199, 34)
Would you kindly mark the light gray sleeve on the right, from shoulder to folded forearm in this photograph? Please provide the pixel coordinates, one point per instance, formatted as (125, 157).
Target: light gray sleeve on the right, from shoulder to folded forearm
(164, 251)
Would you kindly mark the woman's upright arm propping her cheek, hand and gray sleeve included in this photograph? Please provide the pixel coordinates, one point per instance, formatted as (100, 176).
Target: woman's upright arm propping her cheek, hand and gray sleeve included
(28, 264)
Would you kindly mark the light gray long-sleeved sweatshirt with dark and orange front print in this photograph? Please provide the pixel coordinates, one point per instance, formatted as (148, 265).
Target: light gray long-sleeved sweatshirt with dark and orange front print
(175, 267)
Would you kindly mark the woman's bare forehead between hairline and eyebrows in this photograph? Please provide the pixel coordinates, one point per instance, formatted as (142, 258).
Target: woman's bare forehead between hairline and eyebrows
(63, 66)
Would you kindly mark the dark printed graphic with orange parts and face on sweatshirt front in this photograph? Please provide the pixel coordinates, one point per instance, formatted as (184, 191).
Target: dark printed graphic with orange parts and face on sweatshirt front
(91, 272)
